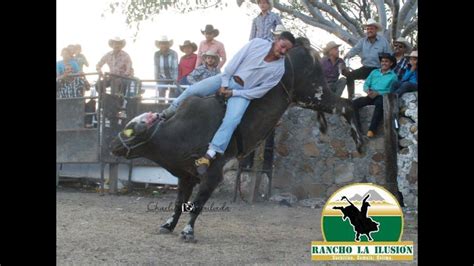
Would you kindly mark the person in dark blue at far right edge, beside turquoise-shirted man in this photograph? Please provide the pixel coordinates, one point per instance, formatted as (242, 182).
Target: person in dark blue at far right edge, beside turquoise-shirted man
(409, 82)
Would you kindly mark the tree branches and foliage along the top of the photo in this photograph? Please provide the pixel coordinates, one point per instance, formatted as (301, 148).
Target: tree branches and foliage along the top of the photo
(343, 18)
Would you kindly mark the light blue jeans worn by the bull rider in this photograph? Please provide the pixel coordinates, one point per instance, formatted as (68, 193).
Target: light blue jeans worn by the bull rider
(236, 107)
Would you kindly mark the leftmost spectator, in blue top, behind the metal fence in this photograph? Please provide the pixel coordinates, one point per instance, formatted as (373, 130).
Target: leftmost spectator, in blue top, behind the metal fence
(68, 86)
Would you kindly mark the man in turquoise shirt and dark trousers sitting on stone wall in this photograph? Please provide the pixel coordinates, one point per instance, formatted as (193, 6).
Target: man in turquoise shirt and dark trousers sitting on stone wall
(376, 85)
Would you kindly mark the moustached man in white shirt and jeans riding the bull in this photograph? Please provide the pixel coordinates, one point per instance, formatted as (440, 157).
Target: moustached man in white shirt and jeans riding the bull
(253, 71)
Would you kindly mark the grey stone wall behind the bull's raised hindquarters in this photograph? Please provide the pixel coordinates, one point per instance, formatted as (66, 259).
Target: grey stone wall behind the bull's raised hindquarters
(309, 164)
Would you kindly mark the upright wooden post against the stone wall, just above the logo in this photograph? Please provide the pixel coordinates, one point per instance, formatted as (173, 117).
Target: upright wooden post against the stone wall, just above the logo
(390, 120)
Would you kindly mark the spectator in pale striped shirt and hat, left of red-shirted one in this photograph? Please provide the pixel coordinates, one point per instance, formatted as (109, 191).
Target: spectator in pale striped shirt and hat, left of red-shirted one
(166, 65)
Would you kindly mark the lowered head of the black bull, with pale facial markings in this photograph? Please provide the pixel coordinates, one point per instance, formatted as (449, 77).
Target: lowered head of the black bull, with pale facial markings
(132, 141)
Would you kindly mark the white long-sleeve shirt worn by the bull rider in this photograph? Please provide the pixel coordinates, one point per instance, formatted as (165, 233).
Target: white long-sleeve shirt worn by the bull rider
(258, 76)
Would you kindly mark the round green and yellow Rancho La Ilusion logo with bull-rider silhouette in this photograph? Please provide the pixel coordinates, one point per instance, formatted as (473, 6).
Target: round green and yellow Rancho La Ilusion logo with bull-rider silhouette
(362, 222)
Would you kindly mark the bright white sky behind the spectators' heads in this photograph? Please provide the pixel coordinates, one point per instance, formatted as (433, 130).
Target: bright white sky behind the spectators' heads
(80, 22)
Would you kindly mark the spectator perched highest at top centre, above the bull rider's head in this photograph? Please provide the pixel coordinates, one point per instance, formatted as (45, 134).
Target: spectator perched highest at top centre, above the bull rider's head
(265, 22)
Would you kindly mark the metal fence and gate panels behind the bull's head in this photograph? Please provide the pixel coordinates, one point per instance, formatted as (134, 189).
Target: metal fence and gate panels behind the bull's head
(86, 125)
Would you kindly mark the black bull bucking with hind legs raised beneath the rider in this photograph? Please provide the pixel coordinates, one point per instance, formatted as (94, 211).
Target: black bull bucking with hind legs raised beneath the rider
(176, 143)
